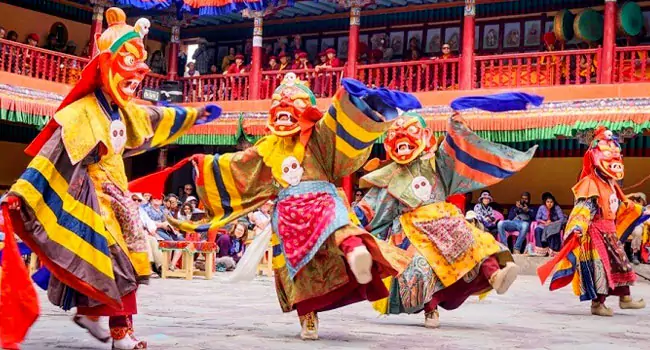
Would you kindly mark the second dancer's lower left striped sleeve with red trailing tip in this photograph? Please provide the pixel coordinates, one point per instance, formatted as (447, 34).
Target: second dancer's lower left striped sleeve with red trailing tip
(230, 186)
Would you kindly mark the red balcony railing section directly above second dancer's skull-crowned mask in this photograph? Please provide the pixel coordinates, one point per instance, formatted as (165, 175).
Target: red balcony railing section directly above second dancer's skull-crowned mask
(323, 82)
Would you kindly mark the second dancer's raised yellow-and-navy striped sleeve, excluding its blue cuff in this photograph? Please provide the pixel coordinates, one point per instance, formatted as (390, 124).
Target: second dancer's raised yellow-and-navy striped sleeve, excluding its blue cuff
(345, 135)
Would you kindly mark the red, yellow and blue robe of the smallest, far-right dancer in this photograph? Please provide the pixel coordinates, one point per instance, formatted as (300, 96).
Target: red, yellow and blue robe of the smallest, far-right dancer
(593, 260)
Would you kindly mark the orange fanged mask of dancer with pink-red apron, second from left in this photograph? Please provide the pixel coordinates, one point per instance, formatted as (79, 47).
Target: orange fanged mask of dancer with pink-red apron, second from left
(293, 104)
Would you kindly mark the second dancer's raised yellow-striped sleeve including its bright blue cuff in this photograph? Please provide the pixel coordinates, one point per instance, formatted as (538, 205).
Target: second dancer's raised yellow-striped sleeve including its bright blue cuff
(357, 117)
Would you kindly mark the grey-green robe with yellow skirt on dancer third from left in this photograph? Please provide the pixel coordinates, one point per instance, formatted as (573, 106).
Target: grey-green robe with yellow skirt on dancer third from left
(444, 247)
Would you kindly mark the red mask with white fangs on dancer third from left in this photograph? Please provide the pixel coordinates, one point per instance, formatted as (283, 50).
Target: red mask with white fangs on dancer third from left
(407, 138)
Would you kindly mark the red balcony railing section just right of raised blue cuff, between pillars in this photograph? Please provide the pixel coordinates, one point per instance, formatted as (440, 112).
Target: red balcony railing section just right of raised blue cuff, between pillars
(412, 76)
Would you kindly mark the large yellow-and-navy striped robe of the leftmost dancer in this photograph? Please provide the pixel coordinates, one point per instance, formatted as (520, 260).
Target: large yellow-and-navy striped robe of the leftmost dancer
(78, 216)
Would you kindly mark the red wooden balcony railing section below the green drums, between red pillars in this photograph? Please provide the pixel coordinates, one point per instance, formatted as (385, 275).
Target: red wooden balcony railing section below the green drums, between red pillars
(576, 67)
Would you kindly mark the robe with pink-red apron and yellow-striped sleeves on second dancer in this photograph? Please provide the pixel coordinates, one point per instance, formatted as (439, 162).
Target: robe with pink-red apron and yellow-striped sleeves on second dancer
(309, 263)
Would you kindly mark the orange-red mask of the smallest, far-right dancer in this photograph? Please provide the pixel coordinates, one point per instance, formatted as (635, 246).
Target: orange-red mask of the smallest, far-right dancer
(606, 154)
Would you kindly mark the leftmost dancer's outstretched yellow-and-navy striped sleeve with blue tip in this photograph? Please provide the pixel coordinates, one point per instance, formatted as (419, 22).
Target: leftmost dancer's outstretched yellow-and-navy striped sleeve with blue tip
(153, 127)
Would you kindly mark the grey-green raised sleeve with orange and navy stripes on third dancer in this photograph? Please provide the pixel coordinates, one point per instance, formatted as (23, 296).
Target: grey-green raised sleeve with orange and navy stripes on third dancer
(467, 162)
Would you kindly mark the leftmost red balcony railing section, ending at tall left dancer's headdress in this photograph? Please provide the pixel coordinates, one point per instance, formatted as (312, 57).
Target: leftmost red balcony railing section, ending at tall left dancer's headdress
(40, 63)
